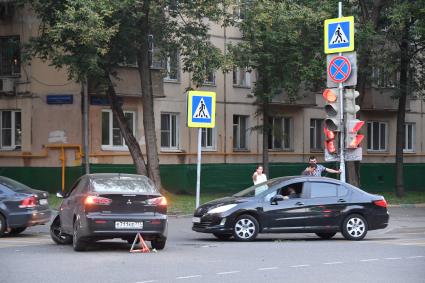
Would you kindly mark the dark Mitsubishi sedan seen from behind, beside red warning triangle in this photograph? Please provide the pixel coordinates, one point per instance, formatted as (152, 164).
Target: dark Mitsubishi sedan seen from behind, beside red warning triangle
(106, 206)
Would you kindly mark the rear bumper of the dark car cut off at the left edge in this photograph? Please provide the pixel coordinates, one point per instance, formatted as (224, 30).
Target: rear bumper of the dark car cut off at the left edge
(28, 218)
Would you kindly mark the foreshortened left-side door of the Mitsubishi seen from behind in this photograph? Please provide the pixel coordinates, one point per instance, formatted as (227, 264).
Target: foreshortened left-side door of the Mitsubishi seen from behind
(68, 205)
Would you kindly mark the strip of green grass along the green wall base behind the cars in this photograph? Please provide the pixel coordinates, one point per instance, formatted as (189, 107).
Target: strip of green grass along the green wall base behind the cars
(185, 204)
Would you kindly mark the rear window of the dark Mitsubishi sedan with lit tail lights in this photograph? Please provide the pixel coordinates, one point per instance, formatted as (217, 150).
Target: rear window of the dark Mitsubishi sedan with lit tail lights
(125, 185)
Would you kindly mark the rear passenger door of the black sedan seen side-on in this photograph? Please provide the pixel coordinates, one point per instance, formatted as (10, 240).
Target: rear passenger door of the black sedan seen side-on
(324, 206)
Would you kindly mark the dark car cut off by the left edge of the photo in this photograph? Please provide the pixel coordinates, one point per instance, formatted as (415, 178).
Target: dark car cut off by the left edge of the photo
(21, 207)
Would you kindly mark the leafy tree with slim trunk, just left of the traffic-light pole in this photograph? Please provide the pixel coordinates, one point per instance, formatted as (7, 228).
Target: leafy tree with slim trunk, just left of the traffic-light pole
(282, 41)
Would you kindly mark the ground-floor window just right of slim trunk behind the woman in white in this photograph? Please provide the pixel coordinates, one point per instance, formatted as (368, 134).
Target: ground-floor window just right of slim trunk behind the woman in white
(280, 133)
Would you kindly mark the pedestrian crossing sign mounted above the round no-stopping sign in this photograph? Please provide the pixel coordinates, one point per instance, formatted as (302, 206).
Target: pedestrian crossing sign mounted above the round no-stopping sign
(339, 35)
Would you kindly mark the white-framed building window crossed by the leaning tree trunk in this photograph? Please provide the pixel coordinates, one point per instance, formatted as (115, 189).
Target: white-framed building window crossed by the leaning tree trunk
(111, 133)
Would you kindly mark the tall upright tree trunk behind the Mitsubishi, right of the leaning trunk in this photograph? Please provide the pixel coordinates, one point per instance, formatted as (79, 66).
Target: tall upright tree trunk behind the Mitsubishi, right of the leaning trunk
(143, 60)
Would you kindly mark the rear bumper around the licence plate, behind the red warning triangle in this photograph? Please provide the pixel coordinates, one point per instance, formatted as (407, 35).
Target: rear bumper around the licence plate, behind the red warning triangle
(98, 225)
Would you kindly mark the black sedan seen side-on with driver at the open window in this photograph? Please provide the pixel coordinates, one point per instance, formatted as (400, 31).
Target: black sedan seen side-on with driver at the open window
(298, 204)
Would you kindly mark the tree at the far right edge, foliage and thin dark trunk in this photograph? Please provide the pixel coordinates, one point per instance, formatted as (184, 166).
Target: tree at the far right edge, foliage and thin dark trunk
(405, 31)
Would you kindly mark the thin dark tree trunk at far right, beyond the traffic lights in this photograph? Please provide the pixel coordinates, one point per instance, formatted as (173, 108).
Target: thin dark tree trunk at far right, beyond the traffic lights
(401, 113)
